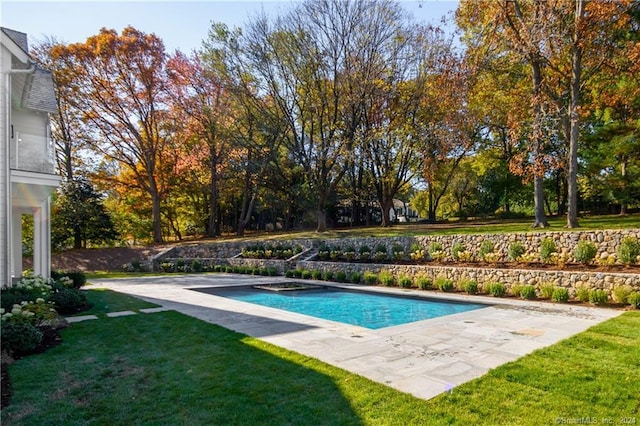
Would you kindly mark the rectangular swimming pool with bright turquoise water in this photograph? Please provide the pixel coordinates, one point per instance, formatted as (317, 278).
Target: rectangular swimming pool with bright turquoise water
(369, 310)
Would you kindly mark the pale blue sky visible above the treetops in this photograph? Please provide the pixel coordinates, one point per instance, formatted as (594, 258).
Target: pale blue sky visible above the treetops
(182, 25)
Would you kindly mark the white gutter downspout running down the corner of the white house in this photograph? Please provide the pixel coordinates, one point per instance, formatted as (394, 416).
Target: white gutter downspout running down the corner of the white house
(9, 222)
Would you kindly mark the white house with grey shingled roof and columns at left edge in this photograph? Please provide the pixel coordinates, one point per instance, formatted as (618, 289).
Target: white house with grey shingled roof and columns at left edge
(27, 156)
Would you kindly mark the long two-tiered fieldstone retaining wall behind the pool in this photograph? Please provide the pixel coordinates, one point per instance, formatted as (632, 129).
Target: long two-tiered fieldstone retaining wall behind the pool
(606, 241)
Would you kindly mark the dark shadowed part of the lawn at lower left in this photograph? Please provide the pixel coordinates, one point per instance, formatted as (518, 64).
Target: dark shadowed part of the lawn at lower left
(168, 368)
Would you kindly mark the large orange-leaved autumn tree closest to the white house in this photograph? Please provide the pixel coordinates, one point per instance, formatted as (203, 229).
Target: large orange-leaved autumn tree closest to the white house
(118, 82)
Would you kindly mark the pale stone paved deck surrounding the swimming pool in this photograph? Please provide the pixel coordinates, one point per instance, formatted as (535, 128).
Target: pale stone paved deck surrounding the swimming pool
(423, 358)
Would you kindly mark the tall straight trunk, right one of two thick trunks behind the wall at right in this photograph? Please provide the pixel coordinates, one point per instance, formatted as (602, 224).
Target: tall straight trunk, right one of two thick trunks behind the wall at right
(574, 116)
